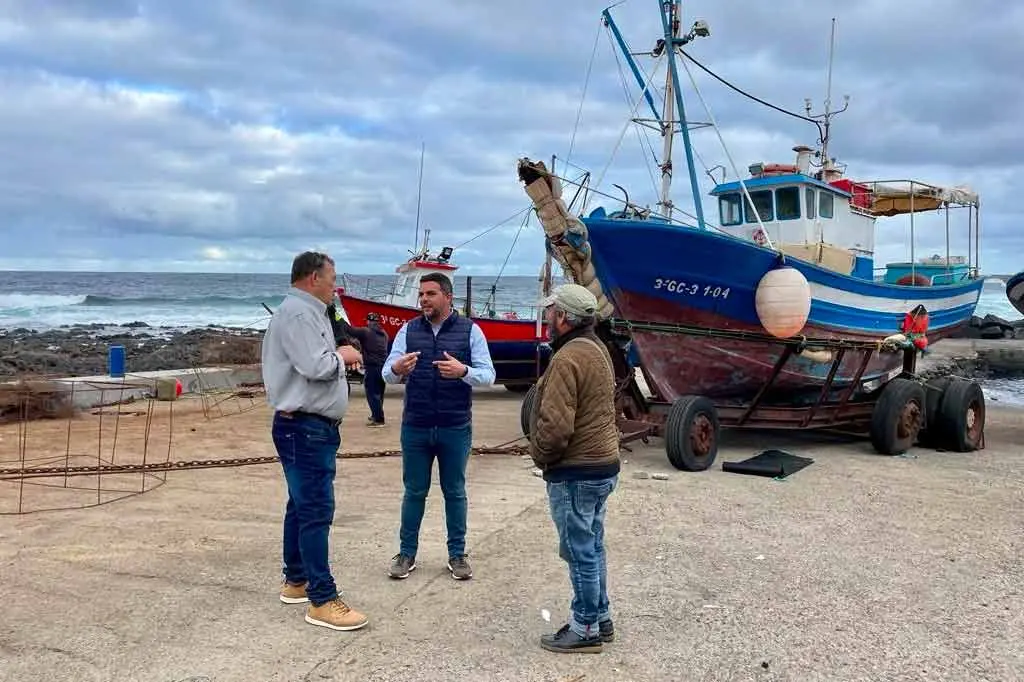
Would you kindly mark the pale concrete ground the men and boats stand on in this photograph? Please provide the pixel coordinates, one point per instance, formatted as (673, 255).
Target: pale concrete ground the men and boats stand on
(859, 568)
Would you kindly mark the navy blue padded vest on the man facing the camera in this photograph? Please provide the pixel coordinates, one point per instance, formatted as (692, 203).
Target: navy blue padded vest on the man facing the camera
(431, 399)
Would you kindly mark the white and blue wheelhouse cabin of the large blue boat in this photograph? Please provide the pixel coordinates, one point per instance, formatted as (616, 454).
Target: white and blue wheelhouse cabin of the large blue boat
(829, 224)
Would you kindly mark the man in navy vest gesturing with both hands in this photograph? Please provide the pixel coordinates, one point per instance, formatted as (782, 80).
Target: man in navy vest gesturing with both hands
(440, 357)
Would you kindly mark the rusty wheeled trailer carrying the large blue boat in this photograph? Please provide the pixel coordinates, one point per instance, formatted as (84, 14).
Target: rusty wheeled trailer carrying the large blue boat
(945, 413)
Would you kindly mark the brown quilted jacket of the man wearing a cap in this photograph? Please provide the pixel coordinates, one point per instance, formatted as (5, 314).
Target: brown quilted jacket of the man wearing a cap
(573, 432)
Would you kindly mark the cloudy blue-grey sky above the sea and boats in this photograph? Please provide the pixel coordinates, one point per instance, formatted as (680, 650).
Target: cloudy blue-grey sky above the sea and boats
(220, 136)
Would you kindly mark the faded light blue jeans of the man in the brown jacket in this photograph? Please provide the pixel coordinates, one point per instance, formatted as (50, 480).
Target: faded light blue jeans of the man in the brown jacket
(578, 508)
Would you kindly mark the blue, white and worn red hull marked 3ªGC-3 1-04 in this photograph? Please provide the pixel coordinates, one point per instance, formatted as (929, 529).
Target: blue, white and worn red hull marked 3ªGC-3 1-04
(680, 276)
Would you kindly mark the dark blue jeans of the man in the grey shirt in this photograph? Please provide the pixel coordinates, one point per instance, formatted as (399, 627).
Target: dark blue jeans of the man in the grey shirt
(308, 448)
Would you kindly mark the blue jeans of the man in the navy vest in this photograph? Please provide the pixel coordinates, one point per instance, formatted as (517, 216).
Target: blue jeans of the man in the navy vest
(419, 448)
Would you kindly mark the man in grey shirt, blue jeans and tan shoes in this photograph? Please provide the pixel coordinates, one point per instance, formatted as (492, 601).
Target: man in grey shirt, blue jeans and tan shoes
(305, 375)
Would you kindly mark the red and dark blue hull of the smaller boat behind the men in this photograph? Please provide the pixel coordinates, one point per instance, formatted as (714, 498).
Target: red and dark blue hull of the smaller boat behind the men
(519, 355)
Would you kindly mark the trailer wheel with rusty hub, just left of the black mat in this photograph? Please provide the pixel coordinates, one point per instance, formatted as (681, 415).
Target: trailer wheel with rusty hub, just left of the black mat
(692, 433)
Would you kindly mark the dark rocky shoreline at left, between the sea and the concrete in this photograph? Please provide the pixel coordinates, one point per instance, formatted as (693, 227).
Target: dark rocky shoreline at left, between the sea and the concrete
(81, 351)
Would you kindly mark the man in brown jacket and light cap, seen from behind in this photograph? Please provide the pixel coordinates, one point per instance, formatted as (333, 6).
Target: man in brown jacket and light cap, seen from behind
(575, 442)
